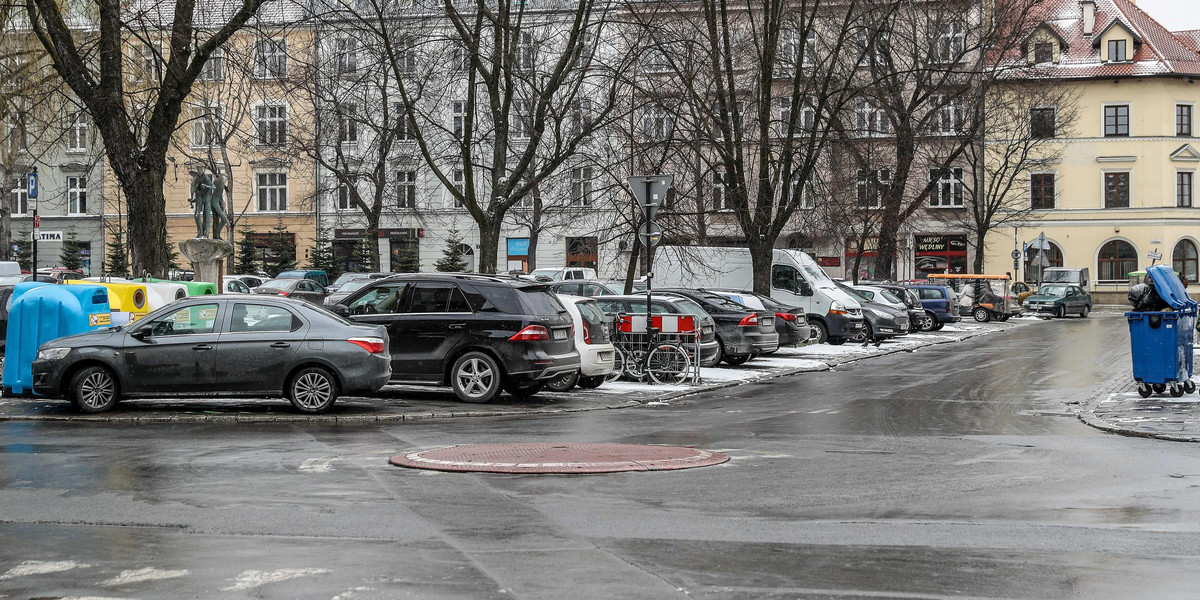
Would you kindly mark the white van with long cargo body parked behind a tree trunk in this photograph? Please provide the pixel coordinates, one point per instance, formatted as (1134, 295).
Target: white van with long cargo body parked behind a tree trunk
(796, 280)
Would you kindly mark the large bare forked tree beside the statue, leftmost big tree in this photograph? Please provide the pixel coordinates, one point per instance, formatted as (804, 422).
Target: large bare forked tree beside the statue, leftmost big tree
(136, 98)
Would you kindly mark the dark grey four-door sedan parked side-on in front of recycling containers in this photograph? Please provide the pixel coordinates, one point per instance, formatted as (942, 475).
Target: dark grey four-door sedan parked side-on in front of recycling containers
(233, 345)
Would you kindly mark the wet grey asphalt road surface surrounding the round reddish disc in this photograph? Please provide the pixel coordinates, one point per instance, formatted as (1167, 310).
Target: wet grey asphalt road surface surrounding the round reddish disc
(952, 472)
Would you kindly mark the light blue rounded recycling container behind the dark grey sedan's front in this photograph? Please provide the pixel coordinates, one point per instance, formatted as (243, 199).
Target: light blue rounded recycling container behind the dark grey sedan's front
(45, 313)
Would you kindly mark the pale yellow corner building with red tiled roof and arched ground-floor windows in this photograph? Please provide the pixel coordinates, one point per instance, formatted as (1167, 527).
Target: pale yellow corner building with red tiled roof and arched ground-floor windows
(1124, 185)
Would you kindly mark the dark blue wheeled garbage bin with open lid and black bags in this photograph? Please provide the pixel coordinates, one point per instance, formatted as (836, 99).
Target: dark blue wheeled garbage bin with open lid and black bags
(1161, 341)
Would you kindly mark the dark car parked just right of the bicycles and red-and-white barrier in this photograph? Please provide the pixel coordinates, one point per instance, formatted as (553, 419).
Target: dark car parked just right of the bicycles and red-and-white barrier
(741, 332)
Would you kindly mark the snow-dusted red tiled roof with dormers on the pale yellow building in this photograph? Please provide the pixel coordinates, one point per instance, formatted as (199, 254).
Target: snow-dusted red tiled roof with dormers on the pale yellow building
(1160, 52)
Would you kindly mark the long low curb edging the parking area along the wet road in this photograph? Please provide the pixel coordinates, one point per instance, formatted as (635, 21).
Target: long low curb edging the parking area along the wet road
(458, 415)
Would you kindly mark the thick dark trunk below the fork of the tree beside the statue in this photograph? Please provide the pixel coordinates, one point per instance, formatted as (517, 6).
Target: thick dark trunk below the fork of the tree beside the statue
(147, 219)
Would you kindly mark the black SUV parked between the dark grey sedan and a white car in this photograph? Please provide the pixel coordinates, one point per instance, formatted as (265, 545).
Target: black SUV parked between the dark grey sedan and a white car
(475, 333)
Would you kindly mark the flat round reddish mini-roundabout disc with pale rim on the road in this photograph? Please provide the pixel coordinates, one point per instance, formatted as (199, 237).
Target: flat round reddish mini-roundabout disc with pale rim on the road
(559, 459)
